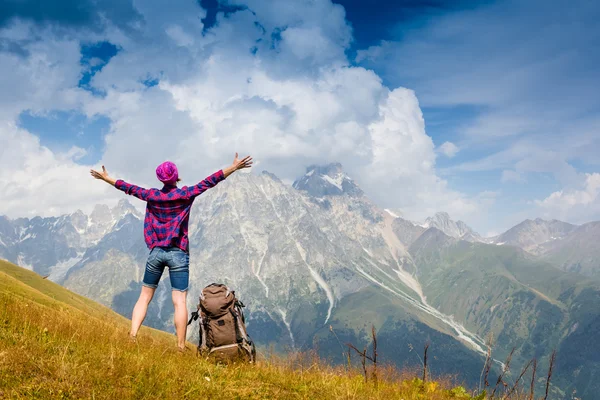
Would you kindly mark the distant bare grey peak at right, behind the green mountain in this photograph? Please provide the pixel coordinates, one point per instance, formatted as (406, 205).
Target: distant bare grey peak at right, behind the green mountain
(530, 234)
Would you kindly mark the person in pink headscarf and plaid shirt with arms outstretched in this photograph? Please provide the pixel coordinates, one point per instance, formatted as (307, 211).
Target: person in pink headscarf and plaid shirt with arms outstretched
(166, 234)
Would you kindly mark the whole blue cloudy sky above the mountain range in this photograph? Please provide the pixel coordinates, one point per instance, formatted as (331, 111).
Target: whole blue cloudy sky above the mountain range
(488, 110)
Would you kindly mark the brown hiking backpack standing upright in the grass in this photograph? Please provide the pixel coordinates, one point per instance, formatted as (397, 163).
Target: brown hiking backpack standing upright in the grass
(222, 324)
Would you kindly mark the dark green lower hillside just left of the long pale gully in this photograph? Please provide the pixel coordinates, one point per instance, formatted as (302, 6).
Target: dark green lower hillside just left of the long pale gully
(399, 333)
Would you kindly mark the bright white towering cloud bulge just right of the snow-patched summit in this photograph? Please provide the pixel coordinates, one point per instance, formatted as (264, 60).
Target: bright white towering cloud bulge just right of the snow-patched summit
(402, 172)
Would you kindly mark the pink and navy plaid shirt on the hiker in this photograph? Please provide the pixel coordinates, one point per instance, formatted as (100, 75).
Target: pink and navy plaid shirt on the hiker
(168, 210)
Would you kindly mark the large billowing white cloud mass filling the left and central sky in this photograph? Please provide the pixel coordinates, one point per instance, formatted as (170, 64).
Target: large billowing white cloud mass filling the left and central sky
(294, 103)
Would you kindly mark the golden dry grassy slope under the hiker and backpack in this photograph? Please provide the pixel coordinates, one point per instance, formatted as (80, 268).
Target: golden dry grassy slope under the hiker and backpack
(56, 344)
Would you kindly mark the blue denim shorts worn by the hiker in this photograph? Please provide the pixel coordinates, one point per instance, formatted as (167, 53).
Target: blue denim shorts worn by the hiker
(178, 262)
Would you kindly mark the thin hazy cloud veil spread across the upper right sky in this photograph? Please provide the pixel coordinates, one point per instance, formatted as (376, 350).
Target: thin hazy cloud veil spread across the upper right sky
(521, 106)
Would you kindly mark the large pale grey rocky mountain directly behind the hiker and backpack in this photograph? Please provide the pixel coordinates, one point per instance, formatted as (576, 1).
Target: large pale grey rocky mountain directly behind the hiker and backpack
(299, 266)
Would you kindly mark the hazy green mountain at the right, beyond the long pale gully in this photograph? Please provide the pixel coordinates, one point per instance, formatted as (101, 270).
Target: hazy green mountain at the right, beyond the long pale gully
(519, 300)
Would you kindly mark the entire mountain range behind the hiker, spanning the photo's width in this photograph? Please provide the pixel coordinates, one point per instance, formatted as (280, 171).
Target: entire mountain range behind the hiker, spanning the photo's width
(320, 254)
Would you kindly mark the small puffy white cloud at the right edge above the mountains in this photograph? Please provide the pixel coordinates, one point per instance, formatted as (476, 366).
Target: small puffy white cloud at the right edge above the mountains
(576, 204)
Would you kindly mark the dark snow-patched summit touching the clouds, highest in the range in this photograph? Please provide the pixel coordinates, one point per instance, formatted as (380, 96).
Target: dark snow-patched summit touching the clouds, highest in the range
(327, 180)
